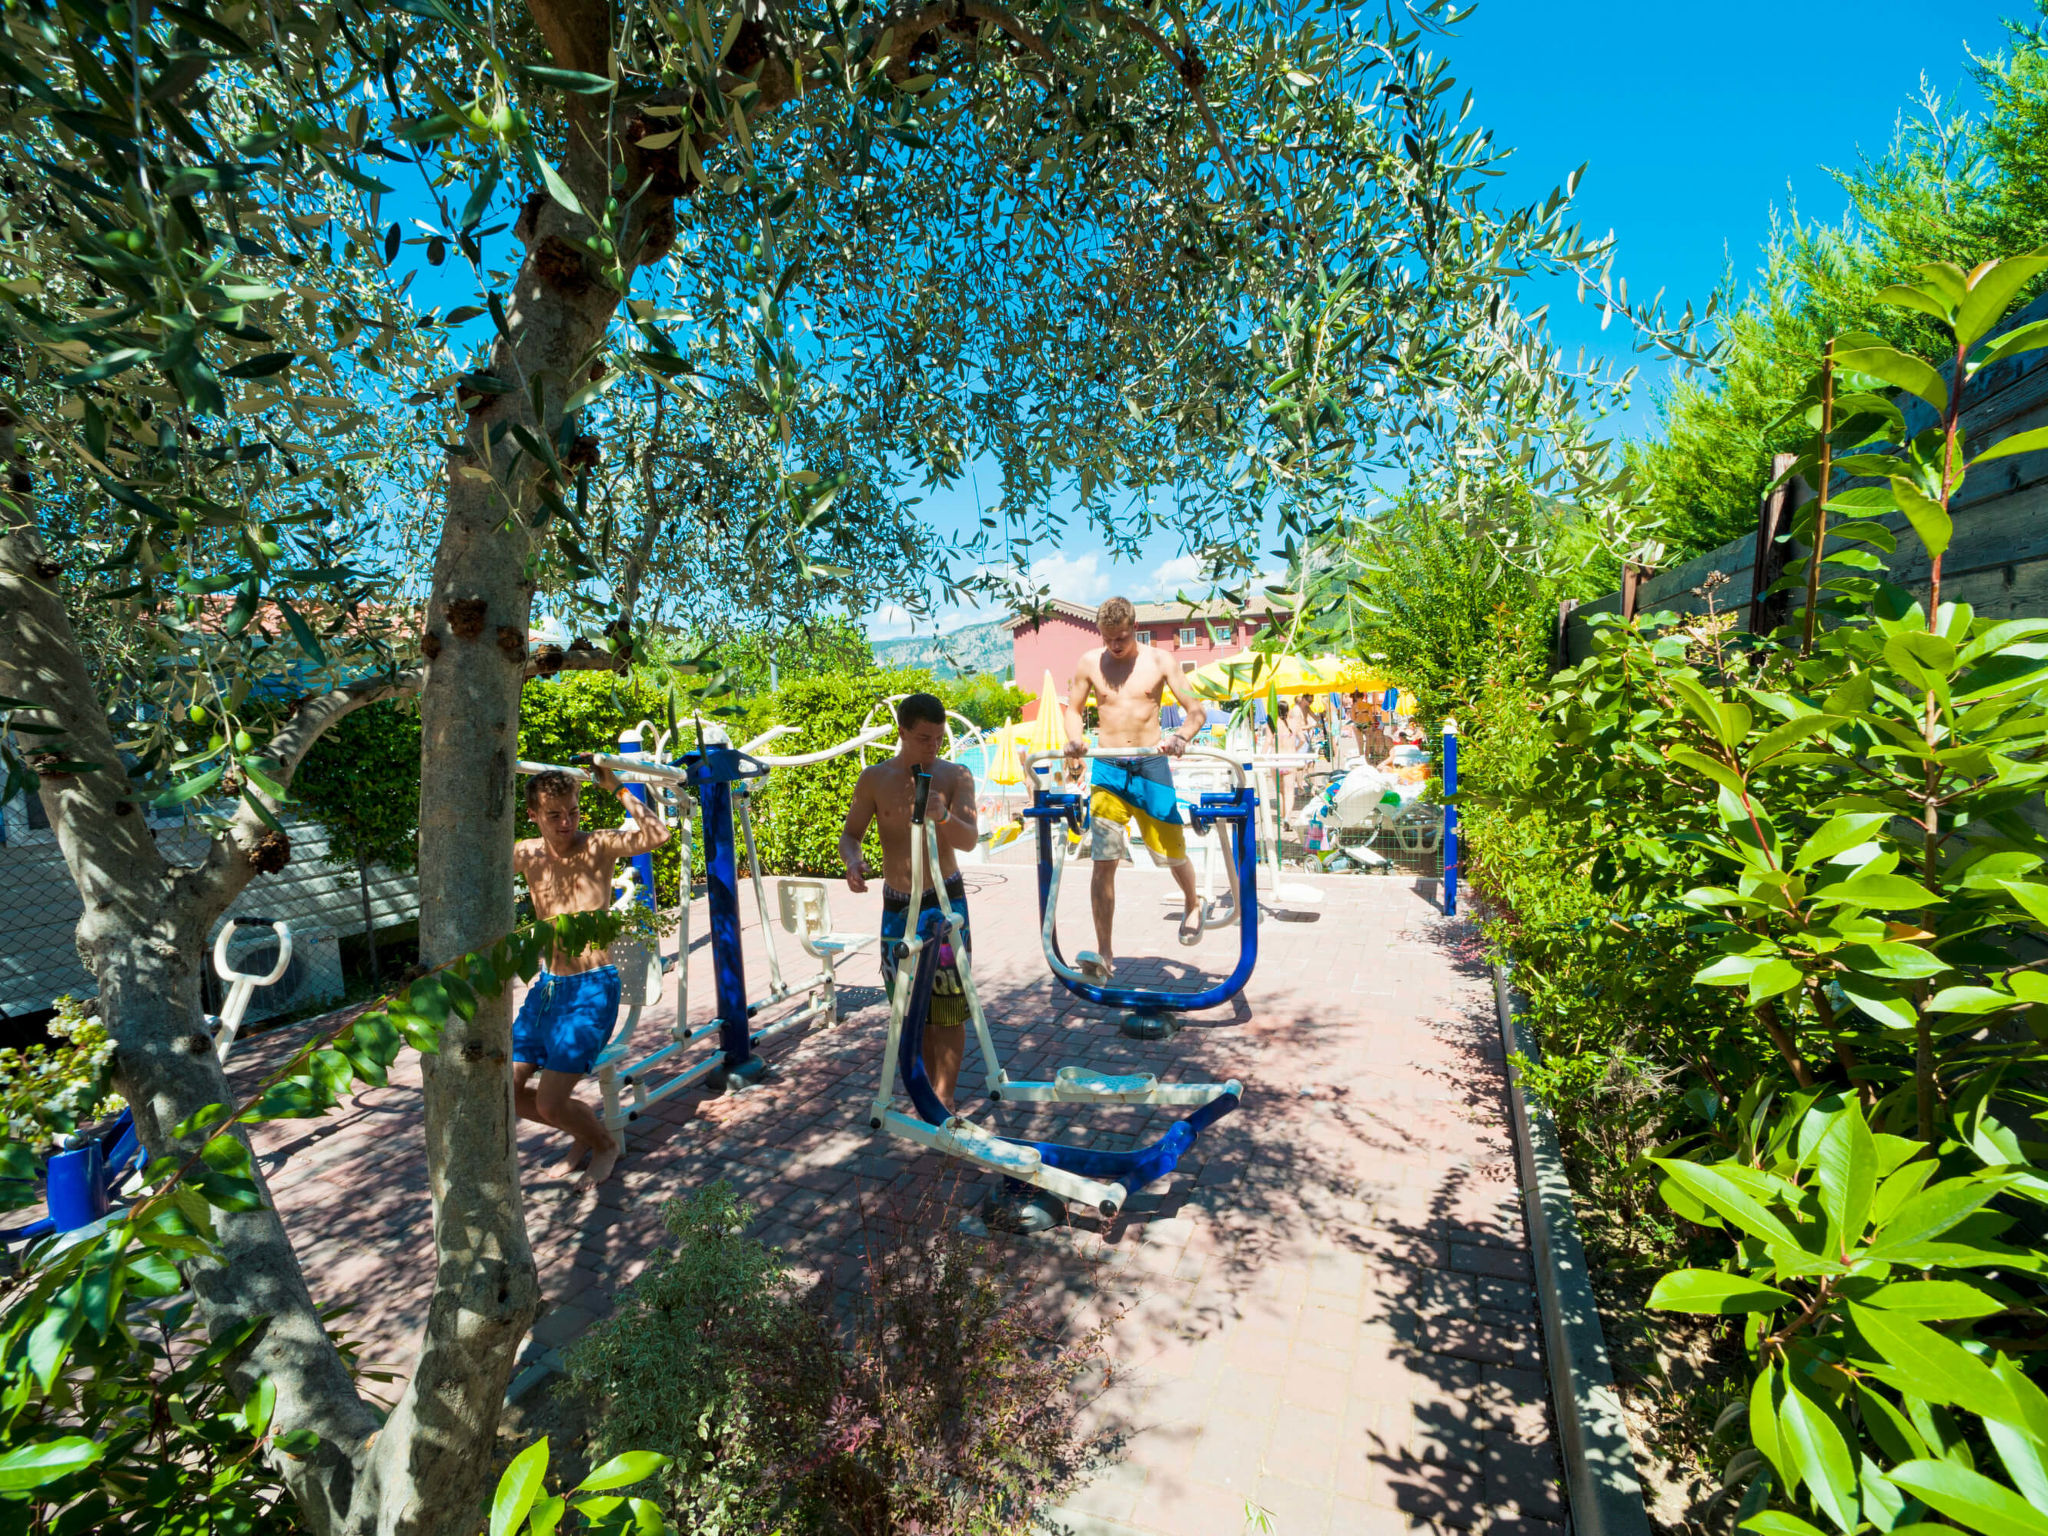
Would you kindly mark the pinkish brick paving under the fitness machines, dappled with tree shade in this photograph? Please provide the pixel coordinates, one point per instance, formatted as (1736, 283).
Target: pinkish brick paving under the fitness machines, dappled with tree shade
(1324, 1314)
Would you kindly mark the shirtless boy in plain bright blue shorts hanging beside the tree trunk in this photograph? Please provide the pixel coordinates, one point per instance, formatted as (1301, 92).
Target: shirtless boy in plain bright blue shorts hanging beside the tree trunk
(572, 1007)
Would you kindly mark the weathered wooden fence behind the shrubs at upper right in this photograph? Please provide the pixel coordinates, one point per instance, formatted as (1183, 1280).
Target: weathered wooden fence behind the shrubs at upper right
(1998, 560)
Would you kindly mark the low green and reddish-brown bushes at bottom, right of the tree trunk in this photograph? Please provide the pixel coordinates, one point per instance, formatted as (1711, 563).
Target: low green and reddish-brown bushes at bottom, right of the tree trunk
(947, 1412)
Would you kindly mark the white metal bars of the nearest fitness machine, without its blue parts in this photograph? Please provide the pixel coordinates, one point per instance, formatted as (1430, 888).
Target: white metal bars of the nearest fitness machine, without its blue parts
(962, 1138)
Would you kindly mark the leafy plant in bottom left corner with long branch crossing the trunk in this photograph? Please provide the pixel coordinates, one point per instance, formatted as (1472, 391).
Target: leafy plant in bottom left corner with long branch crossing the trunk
(116, 1414)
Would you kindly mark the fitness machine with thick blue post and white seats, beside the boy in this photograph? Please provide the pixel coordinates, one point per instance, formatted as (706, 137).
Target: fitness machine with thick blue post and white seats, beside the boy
(720, 777)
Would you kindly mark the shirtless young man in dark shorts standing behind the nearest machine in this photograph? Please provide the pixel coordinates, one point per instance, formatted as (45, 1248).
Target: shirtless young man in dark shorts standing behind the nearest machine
(886, 796)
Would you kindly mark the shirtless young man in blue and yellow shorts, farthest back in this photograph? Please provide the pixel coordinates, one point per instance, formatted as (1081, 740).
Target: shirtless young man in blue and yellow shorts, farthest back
(1127, 683)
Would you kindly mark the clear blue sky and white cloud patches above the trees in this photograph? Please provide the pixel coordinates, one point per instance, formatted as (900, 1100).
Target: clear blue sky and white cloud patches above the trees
(1695, 124)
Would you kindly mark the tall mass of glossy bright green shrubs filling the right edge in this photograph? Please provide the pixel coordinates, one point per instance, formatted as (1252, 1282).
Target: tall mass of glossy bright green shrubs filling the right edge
(1881, 906)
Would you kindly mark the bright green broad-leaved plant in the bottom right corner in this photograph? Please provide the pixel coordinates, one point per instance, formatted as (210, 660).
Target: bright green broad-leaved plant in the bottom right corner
(1887, 1320)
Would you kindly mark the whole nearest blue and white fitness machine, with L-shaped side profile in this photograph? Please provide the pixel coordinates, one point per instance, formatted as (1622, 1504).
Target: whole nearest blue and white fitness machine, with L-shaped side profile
(1099, 1179)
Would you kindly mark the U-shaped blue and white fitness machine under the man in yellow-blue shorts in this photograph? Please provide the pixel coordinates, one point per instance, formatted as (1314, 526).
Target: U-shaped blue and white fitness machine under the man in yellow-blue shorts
(1232, 814)
